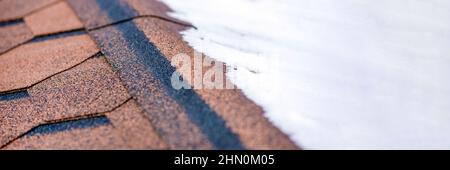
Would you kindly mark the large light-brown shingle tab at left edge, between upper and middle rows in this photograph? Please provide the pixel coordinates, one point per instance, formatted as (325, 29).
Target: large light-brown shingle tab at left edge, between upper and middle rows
(33, 62)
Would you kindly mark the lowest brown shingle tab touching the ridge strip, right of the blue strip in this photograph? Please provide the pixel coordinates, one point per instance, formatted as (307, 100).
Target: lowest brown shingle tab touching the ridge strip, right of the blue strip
(134, 127)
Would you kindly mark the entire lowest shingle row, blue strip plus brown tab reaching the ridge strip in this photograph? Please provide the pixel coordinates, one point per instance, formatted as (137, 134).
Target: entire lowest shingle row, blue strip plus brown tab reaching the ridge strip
(123, 128)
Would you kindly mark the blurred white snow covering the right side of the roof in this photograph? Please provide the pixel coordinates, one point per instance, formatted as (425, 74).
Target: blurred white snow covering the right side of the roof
(347, 74)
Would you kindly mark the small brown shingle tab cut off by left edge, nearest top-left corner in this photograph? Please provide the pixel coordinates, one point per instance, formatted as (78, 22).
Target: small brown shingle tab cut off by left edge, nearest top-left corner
(13, 35)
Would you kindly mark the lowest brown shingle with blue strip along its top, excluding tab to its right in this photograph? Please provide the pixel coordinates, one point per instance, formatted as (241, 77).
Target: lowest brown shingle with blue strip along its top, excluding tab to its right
(78, 134)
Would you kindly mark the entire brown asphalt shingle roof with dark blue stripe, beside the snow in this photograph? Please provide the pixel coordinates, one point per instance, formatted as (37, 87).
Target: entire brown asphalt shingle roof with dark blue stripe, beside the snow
(110, 88)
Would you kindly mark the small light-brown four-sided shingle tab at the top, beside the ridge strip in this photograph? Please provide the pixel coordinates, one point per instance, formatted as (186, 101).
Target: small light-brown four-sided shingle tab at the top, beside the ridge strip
(58, 17)
